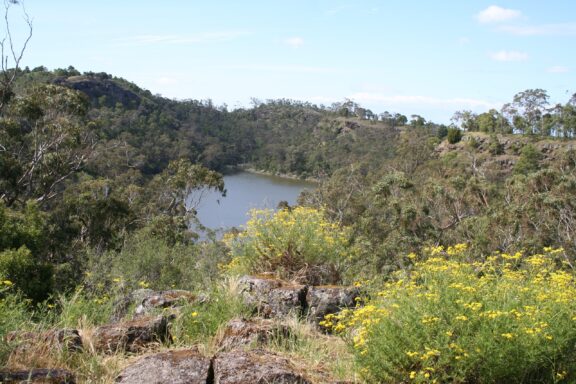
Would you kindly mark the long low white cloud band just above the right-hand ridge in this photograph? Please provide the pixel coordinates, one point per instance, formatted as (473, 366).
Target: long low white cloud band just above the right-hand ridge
(452, 103)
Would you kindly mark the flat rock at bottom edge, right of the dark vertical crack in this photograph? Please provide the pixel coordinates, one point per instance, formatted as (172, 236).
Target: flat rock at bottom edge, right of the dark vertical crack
(257, 367)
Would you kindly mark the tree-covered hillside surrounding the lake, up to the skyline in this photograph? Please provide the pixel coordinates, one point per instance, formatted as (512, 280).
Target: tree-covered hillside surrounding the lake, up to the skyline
(97, 158)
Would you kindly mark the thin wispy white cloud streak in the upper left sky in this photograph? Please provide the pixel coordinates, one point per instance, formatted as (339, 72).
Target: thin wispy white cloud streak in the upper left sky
(205, 37)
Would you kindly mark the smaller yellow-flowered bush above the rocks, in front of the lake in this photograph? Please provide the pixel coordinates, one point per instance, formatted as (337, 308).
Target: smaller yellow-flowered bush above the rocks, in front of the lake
(297, 244)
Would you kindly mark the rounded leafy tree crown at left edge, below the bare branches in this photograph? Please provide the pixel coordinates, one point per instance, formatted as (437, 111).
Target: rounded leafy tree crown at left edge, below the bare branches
(45, 139)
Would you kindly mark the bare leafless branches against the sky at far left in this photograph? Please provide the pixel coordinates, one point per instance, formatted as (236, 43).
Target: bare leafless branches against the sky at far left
(11, 54)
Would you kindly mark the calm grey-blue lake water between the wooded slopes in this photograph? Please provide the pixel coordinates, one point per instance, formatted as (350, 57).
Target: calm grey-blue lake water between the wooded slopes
(246, 191)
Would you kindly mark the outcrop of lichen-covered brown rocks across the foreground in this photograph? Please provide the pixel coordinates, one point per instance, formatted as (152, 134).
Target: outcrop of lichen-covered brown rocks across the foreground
(242, 355)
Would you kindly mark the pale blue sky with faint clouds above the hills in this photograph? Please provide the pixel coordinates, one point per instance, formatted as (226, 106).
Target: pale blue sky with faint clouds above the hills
(412, 57)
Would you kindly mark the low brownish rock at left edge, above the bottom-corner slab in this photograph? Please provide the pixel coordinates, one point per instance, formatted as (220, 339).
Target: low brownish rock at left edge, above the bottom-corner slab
(61, 339)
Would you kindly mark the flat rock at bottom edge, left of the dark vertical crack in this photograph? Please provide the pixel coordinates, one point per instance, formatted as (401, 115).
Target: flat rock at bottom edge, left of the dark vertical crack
(172, 367)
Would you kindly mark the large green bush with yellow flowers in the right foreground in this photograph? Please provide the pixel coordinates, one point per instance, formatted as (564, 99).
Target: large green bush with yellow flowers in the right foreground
(509, 319)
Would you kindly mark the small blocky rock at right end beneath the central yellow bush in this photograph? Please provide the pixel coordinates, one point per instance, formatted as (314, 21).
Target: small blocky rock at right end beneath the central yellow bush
(326, 300)
